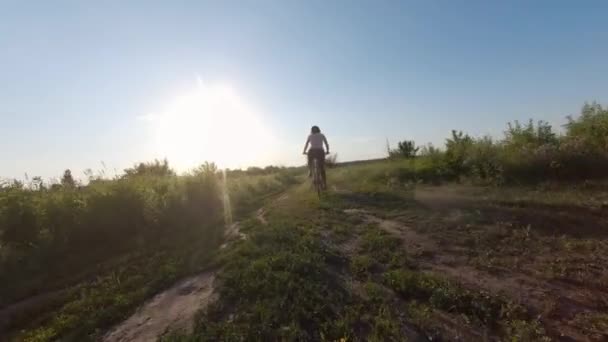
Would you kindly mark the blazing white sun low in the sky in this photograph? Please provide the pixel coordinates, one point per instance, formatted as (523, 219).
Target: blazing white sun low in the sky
(212, 123)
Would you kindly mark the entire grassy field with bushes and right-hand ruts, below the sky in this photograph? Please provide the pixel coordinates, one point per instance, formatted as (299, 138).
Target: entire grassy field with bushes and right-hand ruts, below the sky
(482, 239)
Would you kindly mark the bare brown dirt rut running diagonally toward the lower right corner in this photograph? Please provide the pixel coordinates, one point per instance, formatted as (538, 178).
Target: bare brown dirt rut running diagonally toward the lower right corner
(532, 292)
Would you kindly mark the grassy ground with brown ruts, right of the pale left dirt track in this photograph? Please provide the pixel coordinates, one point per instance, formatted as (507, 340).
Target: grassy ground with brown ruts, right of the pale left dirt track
(380, 260)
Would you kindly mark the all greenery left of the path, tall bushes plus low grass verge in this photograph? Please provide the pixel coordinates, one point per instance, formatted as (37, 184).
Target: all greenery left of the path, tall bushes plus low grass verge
(81, 270)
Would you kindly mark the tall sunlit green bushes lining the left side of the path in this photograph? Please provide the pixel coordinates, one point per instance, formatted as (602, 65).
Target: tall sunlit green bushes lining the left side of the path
(53, 232)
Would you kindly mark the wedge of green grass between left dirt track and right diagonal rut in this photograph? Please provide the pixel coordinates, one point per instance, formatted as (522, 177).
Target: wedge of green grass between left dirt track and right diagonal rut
(290, 281)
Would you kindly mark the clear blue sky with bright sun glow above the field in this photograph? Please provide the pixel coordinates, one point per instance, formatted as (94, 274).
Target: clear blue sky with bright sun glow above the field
(86, 82)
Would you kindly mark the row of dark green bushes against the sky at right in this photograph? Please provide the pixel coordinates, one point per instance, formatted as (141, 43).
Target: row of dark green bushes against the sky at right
(528, 153)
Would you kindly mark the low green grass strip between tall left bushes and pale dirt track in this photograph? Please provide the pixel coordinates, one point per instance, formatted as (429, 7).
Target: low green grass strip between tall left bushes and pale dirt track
(118, 292)
